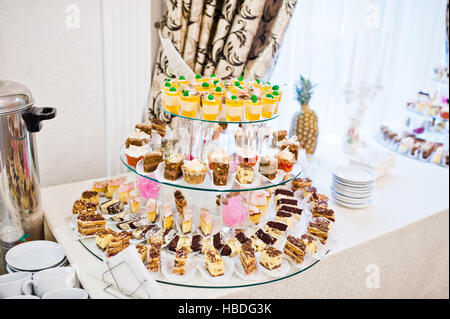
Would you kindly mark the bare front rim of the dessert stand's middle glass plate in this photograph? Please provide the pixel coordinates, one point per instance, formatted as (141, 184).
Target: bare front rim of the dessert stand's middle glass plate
(207, 187)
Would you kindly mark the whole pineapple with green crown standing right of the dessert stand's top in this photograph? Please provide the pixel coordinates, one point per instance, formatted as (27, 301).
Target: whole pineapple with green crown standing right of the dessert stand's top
(306, 122)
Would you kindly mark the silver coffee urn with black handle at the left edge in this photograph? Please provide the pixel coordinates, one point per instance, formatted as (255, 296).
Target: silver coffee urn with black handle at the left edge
(21, 215)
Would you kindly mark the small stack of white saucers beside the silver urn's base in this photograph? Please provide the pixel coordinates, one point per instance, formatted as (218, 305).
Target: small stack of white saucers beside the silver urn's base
(35, 256)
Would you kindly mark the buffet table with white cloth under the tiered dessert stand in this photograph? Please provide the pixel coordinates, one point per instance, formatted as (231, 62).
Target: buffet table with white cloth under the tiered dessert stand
(395, 248)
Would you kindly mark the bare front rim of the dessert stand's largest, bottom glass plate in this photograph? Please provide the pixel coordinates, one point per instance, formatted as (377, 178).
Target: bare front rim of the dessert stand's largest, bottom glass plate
(198, 281)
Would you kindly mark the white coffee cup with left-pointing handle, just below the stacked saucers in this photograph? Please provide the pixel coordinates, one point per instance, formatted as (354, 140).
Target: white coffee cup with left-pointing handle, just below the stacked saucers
(50, 279)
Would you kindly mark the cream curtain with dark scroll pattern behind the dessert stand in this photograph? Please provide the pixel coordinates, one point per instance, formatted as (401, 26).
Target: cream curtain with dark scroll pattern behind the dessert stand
(224, 37)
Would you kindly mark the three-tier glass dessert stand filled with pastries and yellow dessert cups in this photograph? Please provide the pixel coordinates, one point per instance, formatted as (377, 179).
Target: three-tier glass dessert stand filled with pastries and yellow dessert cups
(218, 200)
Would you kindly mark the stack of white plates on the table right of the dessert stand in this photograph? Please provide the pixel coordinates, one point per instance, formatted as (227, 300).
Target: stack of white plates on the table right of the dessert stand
(353, 186)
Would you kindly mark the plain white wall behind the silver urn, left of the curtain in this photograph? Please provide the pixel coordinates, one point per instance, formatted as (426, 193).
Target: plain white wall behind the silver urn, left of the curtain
(63, 68)
